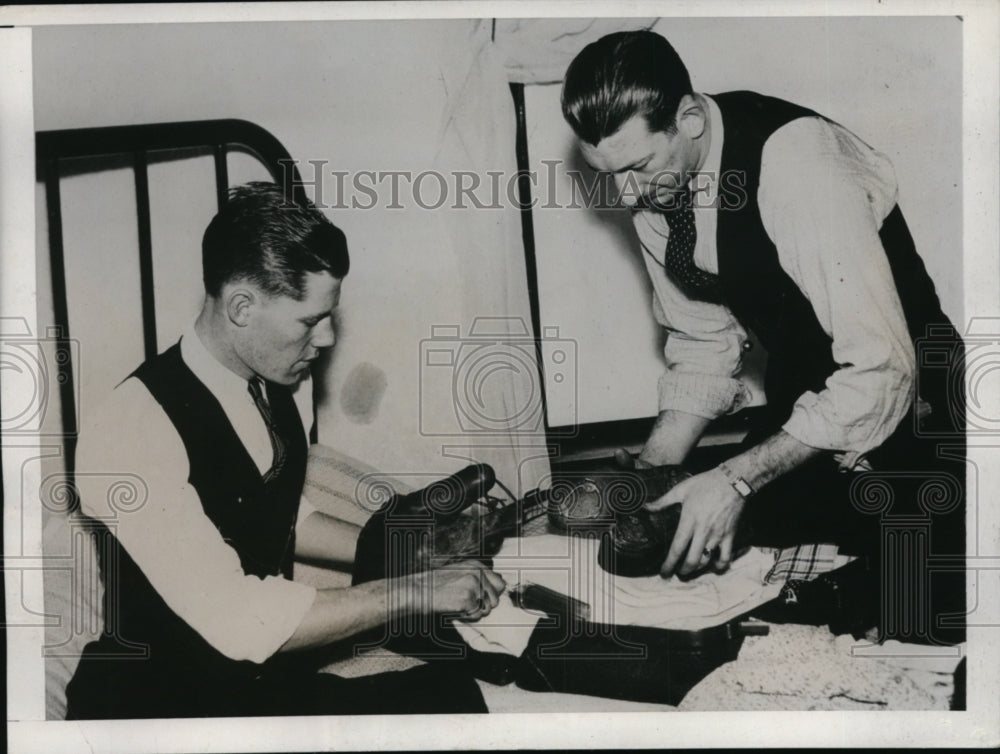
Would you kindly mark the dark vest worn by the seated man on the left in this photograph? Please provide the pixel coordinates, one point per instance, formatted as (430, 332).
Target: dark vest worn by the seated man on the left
(256, 519)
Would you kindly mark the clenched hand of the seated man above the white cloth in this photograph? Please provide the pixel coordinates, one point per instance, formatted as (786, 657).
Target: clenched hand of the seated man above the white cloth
(468, 588)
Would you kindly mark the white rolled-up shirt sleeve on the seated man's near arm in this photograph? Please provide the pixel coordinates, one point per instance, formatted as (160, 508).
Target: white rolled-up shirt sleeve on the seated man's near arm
(169, 536)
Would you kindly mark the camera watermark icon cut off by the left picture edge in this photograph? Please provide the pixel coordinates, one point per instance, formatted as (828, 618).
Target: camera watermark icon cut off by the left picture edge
(34, 369)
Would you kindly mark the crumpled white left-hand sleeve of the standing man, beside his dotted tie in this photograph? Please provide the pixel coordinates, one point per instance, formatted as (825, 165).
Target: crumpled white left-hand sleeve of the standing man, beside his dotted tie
(704, 341)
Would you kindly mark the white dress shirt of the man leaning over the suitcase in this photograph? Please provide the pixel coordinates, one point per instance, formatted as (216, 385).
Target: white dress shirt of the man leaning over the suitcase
(823, 197)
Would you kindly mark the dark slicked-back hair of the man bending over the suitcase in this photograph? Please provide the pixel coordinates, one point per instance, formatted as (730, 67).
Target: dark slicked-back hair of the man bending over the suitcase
(621, 75)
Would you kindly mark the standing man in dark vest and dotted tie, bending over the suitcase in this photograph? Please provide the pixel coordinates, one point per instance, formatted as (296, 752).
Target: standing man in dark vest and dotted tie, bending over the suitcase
(757, 214)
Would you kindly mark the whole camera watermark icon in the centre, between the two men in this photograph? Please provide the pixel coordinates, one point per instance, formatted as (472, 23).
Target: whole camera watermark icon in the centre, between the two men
(487, 383)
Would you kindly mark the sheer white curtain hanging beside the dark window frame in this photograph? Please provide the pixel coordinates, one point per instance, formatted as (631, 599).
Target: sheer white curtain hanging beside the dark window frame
(478, 135)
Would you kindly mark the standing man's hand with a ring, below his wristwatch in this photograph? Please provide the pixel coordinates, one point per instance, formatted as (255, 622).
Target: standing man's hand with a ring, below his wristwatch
(710, 510)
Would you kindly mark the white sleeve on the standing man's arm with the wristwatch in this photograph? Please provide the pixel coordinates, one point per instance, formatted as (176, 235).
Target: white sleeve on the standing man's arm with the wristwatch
(823, 197)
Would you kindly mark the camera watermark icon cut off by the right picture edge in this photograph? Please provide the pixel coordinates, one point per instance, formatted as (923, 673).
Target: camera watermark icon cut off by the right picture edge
(944, 368)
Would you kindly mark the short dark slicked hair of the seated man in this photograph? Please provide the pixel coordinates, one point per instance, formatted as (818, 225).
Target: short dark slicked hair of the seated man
(263, 237)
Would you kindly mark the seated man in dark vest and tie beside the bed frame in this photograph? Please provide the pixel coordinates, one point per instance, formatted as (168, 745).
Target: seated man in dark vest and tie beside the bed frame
(202, 617)
